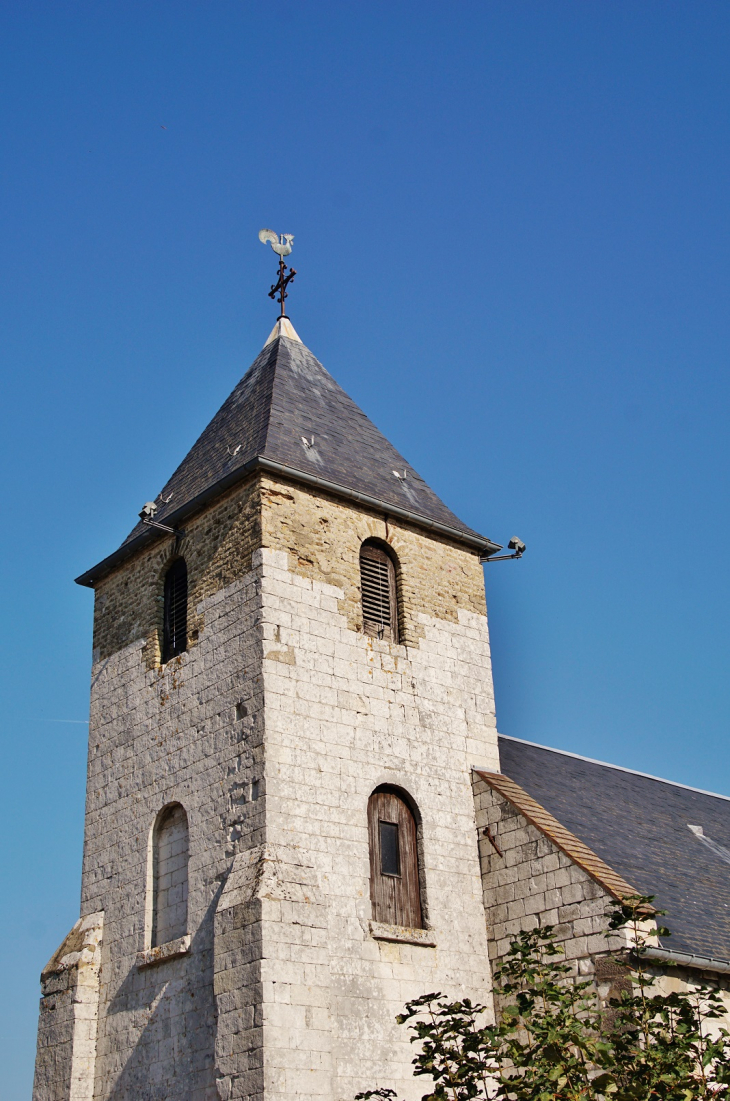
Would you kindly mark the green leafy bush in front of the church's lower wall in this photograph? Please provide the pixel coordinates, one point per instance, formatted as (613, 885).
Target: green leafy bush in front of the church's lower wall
(555, 1042)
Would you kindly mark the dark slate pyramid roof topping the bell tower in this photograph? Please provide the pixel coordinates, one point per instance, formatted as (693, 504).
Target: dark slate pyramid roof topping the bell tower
(289, 417)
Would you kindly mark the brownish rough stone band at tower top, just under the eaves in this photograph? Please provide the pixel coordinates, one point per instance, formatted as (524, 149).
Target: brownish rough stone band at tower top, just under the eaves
(322, 533)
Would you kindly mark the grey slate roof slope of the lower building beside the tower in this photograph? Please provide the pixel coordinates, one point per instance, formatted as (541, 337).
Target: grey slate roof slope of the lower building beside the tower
(640, 827)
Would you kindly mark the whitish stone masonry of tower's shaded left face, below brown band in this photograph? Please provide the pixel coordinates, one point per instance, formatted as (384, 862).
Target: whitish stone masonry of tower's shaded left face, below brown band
(190, 734)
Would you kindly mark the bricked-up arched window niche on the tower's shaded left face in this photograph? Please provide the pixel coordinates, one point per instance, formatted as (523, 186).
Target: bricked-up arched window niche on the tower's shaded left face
(170, 876)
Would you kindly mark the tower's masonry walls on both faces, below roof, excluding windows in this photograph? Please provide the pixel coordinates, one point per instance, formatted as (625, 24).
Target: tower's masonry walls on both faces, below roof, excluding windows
(273, 732)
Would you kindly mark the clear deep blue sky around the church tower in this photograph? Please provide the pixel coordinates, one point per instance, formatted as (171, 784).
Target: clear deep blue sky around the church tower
(511, 226)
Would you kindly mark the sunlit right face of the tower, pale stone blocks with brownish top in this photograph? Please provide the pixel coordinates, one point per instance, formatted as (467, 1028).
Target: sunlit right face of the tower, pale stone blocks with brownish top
(346, 713)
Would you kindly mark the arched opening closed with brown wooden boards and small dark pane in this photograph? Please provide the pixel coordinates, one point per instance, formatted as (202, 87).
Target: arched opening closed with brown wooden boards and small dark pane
(395, 881)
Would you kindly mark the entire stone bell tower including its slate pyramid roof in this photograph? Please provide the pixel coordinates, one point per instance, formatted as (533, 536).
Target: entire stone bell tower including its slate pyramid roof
(291, 686)
